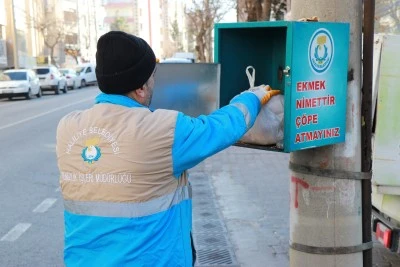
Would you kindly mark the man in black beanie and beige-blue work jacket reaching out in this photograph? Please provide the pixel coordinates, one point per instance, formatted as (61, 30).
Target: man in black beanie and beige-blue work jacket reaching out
(123, 167)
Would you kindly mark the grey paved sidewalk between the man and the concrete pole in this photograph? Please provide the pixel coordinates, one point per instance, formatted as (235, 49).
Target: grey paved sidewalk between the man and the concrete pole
(241, 210)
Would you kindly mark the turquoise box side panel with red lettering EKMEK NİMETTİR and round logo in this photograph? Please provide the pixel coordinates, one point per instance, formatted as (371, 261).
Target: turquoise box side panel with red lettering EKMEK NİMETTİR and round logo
(319, 85)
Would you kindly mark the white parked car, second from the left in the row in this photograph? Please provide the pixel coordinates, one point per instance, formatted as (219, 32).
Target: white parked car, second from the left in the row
(51, 79)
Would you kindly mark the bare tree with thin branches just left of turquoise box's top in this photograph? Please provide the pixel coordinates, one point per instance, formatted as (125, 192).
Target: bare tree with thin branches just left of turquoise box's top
(202, 14)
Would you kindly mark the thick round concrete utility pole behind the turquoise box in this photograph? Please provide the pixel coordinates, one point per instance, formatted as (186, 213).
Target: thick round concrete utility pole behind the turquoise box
(326, 225)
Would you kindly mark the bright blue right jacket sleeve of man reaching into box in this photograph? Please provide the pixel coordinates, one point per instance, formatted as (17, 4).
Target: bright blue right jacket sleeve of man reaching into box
(198, 138)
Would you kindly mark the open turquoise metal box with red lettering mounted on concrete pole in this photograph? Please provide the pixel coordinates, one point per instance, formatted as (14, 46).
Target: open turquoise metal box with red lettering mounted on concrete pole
(307, 61)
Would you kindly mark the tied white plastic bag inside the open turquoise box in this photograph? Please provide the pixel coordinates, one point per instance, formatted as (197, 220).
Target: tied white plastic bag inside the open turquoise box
(268, 127)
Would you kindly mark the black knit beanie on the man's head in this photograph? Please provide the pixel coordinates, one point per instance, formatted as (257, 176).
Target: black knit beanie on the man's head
(124, 62)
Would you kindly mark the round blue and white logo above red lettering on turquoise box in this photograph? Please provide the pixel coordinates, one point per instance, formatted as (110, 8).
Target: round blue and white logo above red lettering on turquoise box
(320, 51)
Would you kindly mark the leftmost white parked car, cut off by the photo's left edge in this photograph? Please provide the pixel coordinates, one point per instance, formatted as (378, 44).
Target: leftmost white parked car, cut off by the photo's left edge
(21, 82)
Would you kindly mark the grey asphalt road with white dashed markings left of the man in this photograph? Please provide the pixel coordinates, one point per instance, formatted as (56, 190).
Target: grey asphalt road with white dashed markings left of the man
(31, 225)
